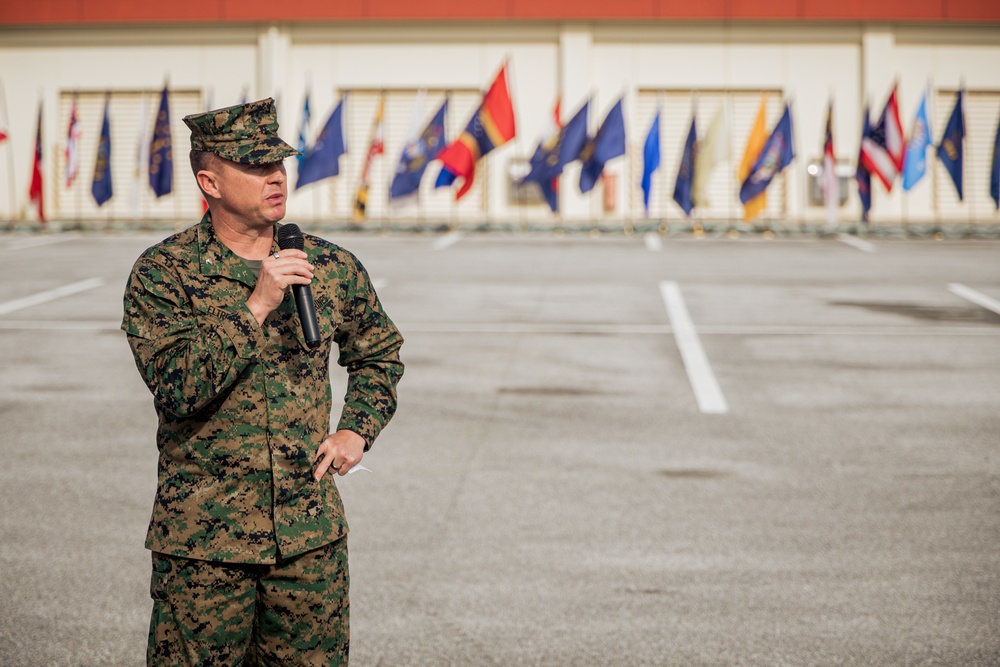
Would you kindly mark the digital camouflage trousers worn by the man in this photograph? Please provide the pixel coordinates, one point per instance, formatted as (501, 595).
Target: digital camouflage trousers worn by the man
(295, 612)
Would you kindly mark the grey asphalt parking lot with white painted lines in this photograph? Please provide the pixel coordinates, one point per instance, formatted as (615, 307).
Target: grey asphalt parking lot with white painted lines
(608, 451)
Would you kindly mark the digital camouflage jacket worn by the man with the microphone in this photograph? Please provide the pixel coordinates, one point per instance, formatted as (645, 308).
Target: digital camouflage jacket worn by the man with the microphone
(242, 408)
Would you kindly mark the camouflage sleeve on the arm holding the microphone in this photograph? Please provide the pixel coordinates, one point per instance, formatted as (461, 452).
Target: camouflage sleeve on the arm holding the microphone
(186, 358)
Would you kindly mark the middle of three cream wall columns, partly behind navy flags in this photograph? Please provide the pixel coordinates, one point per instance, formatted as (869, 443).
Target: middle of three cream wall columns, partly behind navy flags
(575, 82)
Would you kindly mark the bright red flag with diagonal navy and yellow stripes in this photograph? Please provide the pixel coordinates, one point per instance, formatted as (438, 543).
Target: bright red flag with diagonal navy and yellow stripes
(491, 126)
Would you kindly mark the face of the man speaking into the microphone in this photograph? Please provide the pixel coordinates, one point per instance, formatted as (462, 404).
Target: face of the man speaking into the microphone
(256, 194)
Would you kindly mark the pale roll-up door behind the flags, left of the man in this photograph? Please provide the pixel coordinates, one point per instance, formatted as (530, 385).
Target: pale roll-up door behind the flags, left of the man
(133, 199)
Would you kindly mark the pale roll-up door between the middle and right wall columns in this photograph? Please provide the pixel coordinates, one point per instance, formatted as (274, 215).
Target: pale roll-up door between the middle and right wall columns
(676, 106)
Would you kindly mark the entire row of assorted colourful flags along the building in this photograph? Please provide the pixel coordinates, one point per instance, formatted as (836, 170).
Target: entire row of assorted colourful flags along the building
(884, 151)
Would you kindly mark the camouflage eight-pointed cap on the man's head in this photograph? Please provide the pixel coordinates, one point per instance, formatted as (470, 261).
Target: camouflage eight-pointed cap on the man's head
(245, 133)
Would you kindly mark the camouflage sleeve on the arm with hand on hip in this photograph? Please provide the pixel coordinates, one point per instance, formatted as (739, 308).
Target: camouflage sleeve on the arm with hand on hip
(369, 350)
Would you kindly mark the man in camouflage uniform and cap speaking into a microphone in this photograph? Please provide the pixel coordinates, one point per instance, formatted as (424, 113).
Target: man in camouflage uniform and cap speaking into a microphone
(248, 531)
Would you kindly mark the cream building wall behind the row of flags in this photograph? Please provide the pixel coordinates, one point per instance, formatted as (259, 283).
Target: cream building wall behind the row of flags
(807, 64)
